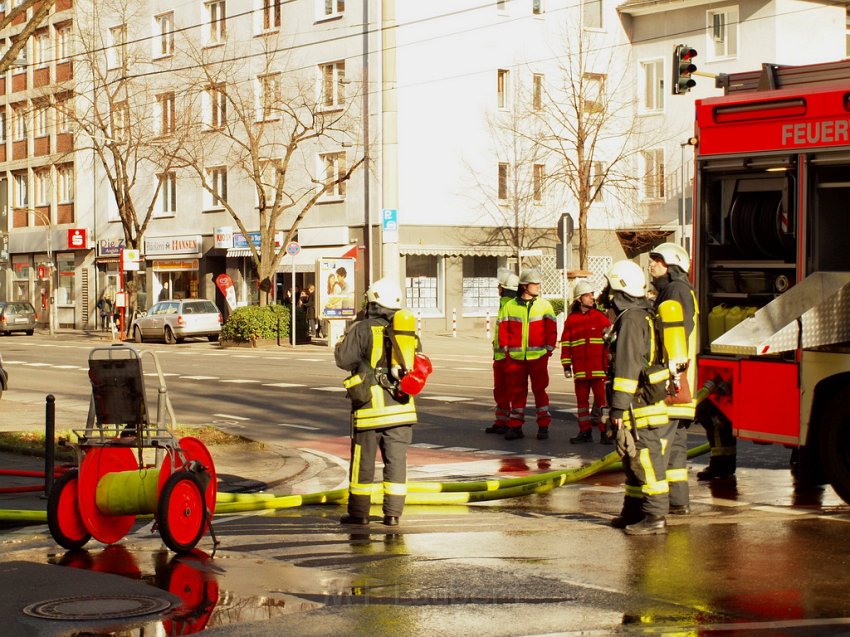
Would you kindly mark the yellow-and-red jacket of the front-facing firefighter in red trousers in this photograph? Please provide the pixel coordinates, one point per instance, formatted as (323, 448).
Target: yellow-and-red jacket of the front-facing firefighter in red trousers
(527, 329)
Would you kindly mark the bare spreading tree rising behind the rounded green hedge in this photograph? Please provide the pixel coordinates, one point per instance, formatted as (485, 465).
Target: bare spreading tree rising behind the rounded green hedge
(285, 142)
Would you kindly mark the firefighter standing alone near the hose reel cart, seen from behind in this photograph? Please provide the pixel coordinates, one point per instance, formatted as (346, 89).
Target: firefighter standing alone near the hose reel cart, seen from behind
(382, 415)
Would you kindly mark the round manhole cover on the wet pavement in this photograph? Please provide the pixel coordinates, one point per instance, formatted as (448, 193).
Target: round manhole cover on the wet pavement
(100, 607)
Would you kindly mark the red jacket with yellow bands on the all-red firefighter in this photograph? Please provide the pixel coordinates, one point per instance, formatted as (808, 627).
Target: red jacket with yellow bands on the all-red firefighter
(583, 345)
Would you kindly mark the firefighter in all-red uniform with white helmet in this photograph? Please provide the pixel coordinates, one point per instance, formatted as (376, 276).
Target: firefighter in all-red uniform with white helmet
(584, 357)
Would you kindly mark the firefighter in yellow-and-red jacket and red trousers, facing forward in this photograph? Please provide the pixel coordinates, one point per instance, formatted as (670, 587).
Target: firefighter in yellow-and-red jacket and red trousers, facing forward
(527, 333)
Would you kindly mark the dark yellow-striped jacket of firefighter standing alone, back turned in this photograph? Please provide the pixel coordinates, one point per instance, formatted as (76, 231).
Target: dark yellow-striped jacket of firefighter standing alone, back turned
(362, 351)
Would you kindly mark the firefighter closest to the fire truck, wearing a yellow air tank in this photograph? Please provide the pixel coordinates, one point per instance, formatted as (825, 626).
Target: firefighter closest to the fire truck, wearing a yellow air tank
(668, 266)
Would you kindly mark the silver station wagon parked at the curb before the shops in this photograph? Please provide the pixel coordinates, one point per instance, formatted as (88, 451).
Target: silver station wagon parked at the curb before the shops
(174, 320)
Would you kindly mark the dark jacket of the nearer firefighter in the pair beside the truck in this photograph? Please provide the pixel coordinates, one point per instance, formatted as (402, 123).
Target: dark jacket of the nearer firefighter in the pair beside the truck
(633, 354)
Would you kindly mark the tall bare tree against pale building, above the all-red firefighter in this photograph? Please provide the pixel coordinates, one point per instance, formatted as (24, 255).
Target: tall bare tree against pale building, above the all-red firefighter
(588, 122)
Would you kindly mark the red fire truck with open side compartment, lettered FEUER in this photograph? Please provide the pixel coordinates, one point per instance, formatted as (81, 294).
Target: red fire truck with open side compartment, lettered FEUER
(772, 260)
